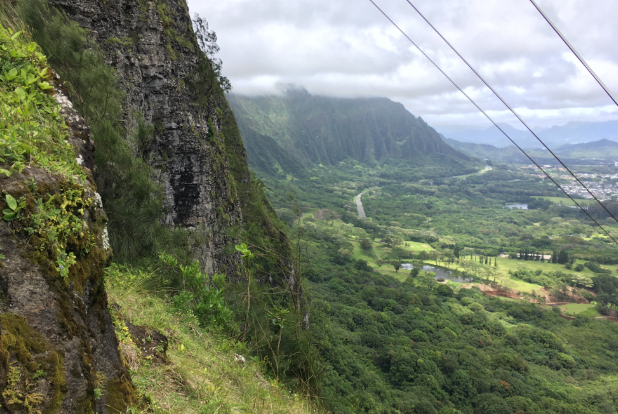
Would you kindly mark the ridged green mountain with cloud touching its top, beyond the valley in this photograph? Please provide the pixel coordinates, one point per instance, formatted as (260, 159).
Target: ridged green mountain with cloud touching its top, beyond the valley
(312, 129)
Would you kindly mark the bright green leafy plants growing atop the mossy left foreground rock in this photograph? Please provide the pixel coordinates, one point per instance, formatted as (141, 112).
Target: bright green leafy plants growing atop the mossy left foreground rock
(33, 132)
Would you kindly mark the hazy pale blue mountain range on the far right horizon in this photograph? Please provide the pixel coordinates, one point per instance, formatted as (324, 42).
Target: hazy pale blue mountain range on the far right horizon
(555, 137)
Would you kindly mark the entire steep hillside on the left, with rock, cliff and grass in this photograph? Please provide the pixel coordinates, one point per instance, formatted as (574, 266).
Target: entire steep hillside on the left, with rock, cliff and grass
(118, 145)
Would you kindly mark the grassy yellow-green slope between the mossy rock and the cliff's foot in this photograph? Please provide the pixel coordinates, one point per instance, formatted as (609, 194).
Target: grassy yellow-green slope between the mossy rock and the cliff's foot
(203, 376)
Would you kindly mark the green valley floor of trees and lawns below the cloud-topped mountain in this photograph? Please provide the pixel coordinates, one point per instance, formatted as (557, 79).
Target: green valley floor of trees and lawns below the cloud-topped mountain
(398, 341)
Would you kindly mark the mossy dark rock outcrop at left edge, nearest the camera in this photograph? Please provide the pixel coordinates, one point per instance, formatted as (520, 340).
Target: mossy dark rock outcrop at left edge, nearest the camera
(58, 349)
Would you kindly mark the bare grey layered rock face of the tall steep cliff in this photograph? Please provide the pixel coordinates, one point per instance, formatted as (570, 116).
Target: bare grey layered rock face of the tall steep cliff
(152, 48)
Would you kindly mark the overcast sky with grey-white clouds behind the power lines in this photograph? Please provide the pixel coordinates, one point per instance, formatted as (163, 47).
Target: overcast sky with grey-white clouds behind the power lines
(347, 48)
